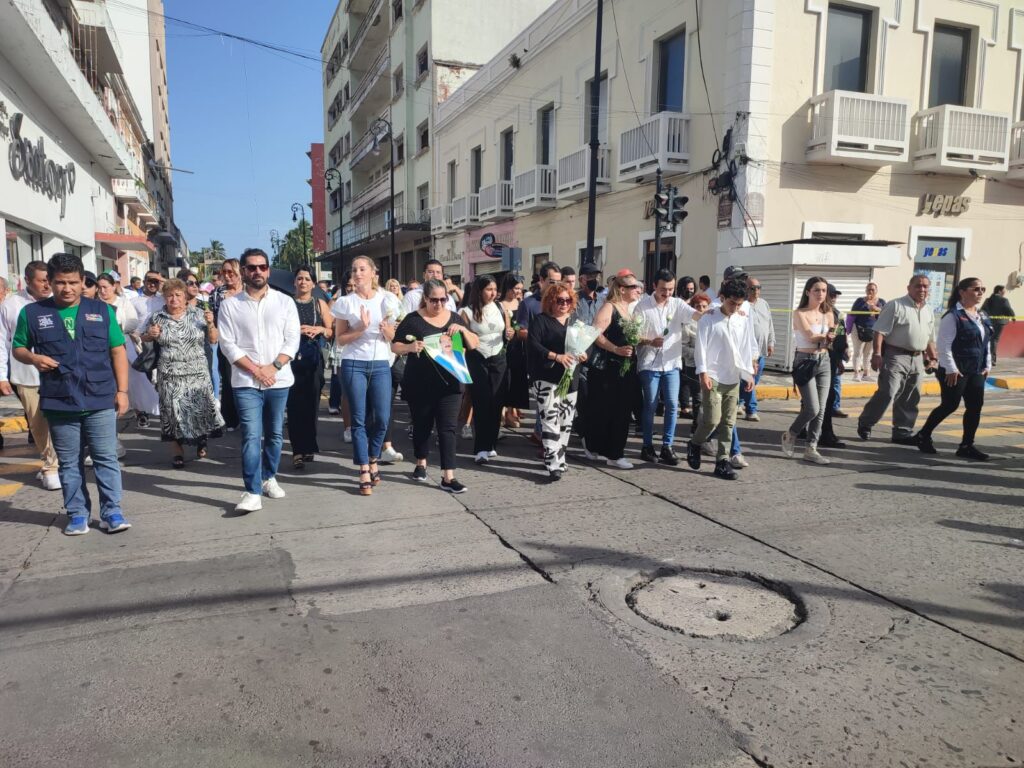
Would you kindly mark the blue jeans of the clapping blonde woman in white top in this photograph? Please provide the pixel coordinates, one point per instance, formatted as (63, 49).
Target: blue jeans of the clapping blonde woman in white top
(368, 387)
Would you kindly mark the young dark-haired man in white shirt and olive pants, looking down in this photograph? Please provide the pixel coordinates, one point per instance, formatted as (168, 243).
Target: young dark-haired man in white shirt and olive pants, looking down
(727, 355)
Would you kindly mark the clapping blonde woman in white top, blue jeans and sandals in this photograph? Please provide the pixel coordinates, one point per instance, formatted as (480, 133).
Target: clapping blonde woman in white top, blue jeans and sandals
(365, 327)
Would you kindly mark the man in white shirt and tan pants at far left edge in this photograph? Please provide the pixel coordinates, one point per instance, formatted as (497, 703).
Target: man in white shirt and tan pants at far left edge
(26, 378)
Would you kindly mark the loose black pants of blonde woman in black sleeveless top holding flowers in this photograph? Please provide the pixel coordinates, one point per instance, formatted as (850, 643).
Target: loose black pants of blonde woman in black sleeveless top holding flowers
(610, 403)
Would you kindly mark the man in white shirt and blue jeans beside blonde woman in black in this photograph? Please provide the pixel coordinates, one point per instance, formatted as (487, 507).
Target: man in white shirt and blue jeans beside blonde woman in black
(660, 360)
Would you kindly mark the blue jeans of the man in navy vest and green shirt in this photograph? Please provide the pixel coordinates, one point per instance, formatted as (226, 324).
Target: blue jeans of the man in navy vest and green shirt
(99, 433)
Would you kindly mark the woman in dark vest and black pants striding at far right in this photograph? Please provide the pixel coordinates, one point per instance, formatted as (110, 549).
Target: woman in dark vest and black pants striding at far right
(965, 360)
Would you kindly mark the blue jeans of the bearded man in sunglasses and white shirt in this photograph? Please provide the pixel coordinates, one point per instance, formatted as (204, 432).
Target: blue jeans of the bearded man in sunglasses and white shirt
(262, 416)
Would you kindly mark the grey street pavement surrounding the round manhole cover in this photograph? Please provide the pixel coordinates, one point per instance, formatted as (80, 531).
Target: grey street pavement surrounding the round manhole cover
(492, 629)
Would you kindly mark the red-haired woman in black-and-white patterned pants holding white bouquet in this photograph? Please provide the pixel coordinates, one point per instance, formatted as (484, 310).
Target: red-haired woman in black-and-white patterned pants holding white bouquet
(548, 363)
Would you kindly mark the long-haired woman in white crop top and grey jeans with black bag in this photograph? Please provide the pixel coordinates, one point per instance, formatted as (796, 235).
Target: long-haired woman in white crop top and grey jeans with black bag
(814, 331)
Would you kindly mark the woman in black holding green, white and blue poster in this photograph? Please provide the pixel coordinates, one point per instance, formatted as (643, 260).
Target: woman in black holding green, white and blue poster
(434, 395)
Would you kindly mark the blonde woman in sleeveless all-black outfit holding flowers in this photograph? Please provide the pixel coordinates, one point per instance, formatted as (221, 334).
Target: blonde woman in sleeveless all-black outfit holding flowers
(612, 378)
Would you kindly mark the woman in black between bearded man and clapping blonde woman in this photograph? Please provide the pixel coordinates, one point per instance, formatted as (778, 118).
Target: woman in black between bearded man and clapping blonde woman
(304, 398)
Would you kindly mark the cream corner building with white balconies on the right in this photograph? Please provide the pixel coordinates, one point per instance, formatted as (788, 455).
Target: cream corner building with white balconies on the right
(888, 136)
